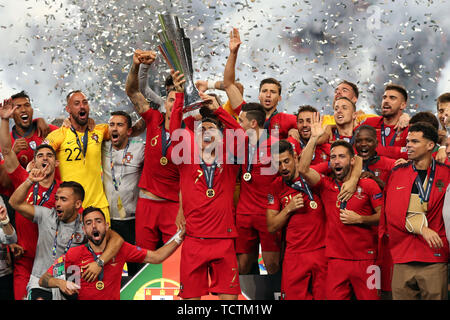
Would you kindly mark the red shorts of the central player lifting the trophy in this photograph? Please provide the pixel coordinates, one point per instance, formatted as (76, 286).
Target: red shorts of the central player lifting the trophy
(203, 257)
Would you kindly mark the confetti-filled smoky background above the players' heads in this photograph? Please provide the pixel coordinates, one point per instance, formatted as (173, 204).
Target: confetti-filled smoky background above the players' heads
(51, 47)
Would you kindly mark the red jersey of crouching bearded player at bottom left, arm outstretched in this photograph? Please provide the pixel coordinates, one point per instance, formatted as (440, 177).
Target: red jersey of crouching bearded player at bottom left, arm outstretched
(112, 271)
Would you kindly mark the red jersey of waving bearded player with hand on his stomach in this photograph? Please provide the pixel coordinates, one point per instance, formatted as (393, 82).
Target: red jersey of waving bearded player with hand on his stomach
(351, 242)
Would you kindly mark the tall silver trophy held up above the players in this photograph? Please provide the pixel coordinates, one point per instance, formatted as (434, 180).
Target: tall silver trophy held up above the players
(176, 49)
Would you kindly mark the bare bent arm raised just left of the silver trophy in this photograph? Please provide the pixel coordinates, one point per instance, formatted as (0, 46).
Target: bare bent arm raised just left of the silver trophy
(140, 104)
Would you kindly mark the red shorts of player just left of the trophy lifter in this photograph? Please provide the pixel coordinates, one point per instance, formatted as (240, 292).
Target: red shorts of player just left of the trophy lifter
(155, 220)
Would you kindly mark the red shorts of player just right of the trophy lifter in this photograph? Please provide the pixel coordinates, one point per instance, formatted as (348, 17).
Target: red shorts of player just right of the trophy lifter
(252, 227)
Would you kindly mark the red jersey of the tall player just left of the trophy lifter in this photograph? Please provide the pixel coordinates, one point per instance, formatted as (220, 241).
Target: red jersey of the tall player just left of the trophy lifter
(161, 180)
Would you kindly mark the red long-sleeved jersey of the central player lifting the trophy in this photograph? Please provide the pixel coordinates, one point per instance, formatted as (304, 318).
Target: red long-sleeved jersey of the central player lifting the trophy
(206, 217)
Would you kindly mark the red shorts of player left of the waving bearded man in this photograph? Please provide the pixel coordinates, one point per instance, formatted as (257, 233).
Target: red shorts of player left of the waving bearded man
(304, 275)
